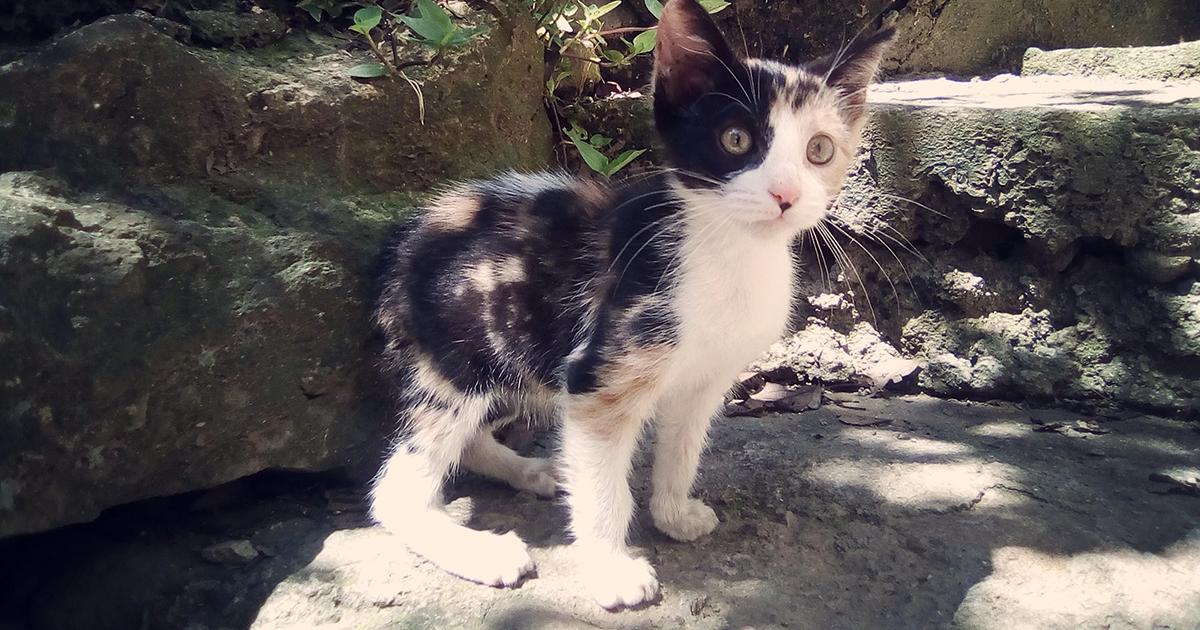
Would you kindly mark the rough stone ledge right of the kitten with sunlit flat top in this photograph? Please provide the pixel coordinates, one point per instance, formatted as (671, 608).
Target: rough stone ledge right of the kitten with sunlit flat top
(1024, 238)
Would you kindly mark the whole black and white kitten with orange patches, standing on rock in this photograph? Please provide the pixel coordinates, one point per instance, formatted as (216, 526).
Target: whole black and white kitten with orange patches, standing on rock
(605, 309)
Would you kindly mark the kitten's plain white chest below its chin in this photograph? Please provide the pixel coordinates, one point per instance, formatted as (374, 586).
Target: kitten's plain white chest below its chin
(735, 301)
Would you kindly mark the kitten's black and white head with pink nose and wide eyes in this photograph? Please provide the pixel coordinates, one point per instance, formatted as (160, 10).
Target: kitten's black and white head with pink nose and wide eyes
(766, 141)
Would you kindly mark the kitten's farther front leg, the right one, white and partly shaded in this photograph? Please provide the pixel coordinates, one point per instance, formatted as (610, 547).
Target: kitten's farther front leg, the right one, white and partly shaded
(681, 435)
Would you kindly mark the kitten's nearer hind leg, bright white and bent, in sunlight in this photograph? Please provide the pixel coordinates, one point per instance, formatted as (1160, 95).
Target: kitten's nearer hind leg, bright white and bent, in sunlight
(406, 497)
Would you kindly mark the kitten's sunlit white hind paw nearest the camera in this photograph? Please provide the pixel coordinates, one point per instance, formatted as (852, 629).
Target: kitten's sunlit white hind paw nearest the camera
(496, 561)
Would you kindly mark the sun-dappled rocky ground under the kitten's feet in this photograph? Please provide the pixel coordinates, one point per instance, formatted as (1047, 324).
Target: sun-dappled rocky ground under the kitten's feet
(903, 513)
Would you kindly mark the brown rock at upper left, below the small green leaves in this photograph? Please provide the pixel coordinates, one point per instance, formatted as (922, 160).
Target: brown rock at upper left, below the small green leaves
(85, 105)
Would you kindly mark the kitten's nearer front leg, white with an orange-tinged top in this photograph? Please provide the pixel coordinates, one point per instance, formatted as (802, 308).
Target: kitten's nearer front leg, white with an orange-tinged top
(601, 434)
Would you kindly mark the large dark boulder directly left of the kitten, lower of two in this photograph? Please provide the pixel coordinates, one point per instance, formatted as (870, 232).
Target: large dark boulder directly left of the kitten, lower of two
(177, 339)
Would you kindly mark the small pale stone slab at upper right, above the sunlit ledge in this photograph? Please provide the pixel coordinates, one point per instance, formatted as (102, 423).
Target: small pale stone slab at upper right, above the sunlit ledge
(1165, 63)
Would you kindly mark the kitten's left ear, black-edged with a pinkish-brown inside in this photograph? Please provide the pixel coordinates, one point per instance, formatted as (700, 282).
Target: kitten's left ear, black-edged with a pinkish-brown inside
(689, 53)
